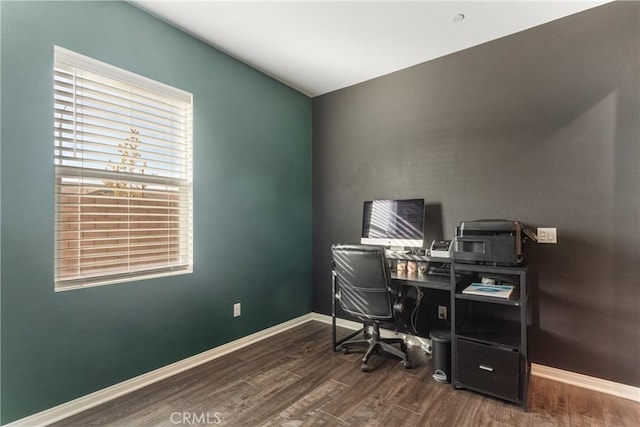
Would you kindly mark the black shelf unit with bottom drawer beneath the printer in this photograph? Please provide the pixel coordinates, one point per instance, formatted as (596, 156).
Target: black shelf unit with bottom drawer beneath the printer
(489, 334)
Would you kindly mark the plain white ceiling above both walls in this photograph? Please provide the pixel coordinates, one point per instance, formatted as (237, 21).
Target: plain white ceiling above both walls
(321, 46)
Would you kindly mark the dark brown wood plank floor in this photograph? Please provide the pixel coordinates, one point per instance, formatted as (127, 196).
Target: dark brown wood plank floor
(294, 379)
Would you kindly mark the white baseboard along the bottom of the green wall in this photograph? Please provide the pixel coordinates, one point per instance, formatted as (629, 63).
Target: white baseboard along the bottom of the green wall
(89, 401)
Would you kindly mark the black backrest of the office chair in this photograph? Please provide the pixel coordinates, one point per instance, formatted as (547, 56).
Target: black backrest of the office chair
(362, 280)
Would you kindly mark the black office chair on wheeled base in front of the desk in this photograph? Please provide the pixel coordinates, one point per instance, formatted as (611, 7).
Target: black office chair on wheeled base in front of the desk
(362, 286)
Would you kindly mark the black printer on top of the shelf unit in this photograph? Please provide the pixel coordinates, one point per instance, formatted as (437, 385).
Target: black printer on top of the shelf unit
(489, 241)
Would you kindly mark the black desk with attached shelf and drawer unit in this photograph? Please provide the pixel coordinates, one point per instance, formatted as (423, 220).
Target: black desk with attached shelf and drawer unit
(489, 340)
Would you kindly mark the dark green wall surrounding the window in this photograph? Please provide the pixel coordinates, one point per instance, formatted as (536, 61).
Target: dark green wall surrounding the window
(252, 209)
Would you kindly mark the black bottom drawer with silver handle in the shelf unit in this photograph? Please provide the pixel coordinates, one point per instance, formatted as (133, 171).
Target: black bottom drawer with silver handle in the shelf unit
(493, 369)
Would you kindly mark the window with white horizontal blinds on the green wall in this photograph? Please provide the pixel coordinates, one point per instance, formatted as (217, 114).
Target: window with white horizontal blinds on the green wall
(123, 175)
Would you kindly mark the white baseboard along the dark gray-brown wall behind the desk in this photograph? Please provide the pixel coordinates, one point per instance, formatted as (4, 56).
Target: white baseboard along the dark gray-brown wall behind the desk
(584, 381)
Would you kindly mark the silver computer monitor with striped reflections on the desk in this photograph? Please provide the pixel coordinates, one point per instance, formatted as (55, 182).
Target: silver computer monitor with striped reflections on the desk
(395, 223)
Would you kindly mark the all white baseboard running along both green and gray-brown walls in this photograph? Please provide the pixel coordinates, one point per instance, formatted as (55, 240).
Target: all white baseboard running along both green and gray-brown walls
(89, 401)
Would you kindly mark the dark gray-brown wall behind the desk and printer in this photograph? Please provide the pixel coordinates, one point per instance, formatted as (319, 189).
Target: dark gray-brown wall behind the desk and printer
(541, 126)
